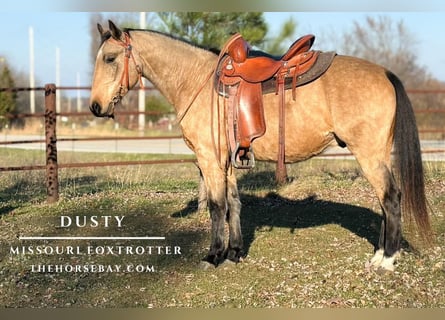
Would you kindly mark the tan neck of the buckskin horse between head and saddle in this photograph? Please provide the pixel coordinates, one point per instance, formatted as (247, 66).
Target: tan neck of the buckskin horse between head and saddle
(177, 69)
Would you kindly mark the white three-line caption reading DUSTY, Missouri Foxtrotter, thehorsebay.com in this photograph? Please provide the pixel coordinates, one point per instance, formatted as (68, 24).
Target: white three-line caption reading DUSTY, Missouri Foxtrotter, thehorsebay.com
(120, 250)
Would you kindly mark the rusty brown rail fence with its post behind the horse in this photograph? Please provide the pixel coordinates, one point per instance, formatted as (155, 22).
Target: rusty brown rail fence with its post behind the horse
(52, 166)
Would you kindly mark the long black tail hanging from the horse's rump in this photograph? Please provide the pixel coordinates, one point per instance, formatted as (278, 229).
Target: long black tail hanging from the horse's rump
(408, 161)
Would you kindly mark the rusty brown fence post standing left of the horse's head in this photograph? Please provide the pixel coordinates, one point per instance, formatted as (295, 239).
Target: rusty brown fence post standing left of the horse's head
(52, 179)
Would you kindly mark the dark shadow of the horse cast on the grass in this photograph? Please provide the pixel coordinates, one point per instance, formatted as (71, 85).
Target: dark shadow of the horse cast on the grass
(274, 211)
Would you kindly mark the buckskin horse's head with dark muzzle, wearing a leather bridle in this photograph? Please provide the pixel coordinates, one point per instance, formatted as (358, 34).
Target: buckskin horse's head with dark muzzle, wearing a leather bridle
(115, 71)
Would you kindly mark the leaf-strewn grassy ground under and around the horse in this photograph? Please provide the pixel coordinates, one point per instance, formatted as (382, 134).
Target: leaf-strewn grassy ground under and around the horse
(307, 242)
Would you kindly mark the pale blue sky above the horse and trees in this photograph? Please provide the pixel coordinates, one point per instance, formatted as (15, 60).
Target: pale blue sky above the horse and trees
(68, 33)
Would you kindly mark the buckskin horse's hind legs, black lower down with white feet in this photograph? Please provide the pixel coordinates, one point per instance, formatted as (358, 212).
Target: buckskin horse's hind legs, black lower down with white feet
(379, 175)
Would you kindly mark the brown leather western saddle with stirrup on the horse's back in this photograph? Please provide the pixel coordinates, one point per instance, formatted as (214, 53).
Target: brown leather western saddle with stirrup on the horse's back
(242, 76)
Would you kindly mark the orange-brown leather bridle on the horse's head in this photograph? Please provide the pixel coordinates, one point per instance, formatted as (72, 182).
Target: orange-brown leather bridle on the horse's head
(124, 85)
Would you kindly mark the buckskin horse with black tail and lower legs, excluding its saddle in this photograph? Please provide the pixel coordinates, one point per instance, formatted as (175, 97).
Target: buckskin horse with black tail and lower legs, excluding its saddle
(355, 103)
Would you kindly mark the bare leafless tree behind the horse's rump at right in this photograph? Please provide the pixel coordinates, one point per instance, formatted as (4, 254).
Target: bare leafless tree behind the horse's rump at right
(391, 45)
